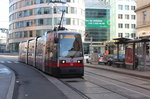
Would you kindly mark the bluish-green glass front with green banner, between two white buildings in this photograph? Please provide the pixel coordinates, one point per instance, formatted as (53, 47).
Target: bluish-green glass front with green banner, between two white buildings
(101, 33)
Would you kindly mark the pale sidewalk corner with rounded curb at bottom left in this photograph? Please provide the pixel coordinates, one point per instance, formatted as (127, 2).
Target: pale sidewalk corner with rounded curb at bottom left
(7, 81)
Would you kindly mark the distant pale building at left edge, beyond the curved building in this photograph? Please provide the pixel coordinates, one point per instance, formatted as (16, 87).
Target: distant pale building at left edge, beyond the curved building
(3, 39)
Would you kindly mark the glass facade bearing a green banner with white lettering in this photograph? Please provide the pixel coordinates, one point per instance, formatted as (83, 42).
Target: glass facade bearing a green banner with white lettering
(97, 27)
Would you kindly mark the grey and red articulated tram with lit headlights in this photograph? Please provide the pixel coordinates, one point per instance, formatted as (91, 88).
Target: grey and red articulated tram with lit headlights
(56, 53)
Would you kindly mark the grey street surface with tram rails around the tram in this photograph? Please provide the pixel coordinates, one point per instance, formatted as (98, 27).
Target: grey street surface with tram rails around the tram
(96, 84)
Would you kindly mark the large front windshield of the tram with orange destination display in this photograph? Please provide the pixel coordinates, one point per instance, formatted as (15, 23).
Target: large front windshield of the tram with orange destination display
(70, 45)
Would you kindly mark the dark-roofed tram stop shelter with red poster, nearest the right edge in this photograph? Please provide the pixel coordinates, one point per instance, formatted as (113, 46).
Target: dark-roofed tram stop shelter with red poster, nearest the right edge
(137, 54)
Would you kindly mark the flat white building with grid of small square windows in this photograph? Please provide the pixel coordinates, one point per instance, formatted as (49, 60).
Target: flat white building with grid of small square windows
(123, 19)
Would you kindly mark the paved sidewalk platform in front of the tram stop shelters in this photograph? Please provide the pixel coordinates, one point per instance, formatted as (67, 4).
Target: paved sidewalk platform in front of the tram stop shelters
(142, 74)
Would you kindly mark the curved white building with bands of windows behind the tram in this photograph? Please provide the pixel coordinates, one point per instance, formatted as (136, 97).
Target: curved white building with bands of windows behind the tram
(31, 18)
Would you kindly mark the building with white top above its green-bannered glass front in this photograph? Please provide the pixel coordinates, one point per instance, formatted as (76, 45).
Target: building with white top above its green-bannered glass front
(97, 23)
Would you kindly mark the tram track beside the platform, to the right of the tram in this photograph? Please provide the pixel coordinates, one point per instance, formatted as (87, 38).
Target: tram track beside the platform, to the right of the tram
(90, 75)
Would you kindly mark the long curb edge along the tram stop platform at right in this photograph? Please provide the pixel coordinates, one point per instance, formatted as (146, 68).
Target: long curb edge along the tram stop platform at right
(123, 72)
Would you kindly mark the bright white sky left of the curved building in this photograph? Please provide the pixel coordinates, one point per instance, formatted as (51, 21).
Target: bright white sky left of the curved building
(4, 13)
